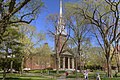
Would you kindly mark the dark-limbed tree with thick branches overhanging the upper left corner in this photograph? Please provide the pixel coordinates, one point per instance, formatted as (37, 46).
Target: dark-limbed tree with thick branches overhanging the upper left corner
(17, 11)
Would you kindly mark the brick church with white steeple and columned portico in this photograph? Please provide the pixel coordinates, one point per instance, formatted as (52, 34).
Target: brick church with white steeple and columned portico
(66, 59)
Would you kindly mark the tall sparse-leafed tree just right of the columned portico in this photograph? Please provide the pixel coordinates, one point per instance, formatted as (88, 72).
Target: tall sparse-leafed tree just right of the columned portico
(79, 31)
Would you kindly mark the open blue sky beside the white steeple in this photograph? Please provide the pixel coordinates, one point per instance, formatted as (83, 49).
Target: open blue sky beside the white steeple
(51, 7)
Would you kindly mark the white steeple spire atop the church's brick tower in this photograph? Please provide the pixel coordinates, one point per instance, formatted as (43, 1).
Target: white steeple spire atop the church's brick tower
(61, 24)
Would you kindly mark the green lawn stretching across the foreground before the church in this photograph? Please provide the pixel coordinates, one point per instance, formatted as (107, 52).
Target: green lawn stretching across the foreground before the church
(35, 75)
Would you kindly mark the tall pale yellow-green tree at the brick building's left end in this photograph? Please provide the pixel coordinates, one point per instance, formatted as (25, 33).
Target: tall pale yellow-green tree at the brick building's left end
(30, 38)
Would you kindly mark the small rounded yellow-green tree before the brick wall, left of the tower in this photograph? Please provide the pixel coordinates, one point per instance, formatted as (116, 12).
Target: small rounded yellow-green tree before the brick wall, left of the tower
(43, 56)
